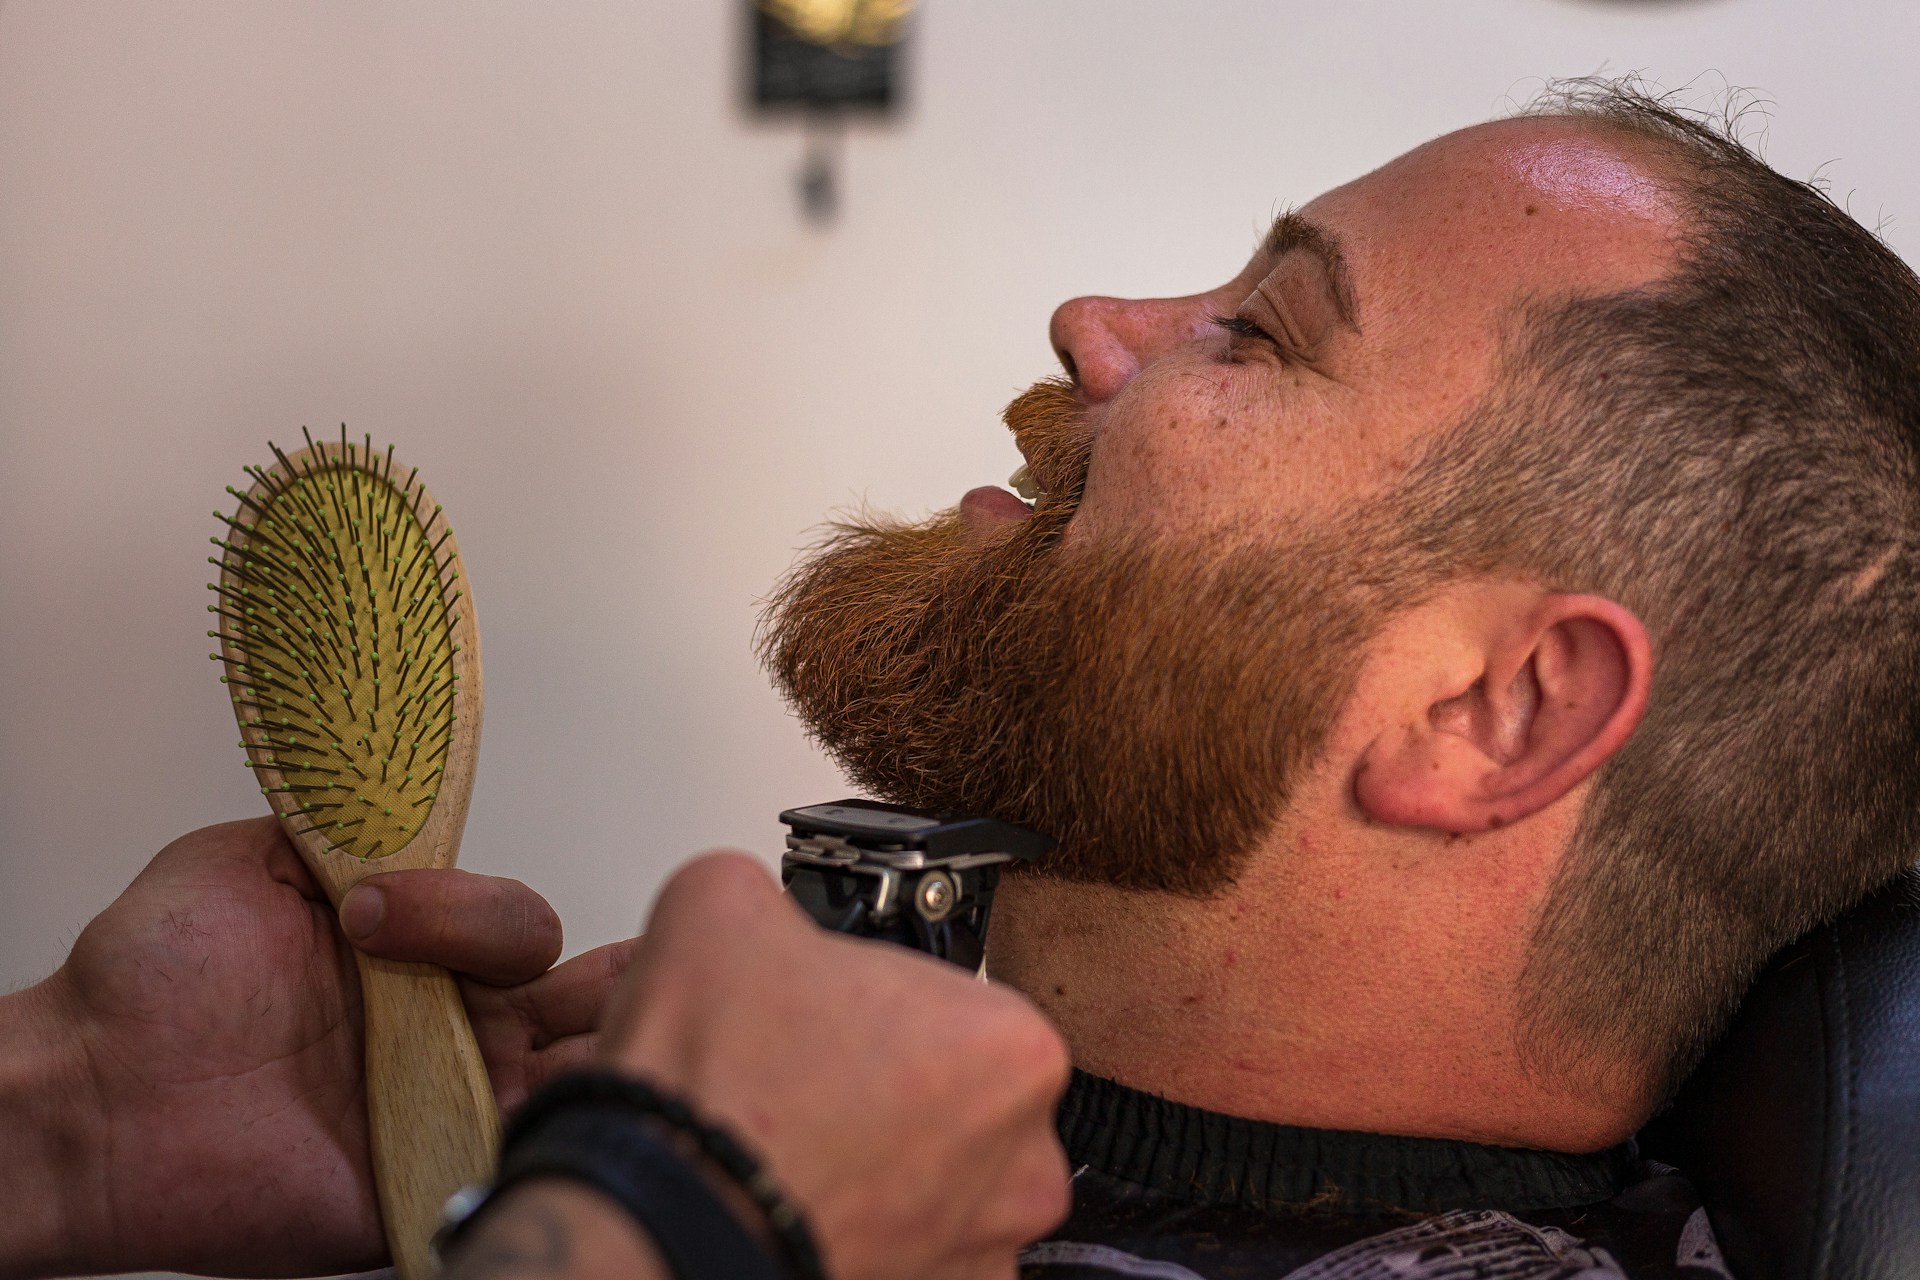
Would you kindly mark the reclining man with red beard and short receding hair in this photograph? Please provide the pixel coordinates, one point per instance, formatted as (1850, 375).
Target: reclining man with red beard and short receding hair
(1452, 657)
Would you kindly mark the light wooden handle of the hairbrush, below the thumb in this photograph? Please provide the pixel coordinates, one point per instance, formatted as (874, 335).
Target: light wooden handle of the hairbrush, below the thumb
(431, 1110)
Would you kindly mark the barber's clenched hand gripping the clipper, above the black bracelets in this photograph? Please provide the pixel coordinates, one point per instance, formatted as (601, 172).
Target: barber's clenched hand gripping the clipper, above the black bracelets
(903, 1104)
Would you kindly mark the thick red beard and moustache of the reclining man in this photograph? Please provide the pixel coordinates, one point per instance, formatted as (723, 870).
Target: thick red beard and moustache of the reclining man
(1149, 703)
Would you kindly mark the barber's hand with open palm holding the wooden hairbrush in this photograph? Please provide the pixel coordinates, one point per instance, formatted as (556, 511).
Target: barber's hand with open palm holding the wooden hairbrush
(218, 1018)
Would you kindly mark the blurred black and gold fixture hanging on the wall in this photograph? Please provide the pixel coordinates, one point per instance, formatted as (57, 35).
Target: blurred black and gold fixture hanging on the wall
(825, 60)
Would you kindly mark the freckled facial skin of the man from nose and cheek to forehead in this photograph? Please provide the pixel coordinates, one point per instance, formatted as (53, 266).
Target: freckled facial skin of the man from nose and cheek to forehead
(1435, 285)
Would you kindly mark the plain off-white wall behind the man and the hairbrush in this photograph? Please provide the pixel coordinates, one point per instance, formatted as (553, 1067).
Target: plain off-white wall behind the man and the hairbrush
(540, 250)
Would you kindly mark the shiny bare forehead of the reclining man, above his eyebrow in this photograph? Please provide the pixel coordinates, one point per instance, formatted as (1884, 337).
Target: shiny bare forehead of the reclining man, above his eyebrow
(1445, 241)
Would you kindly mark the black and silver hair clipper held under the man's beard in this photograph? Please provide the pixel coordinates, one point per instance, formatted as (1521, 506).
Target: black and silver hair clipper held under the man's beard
(907, 876)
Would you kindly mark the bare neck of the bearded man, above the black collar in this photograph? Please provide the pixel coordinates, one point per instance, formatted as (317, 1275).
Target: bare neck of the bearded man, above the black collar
(1333, 997)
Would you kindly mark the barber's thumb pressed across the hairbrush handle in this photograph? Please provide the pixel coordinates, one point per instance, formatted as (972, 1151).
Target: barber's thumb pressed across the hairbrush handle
(483, 926)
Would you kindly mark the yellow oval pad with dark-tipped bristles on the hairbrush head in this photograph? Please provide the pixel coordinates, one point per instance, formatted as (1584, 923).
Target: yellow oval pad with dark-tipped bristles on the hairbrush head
(337, 621)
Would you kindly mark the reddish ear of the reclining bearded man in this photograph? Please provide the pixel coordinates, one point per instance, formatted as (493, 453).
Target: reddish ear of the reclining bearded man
(1554, 699)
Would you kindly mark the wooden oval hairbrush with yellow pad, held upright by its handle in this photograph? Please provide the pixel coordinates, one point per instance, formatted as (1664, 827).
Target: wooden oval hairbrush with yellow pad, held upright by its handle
(350, 652)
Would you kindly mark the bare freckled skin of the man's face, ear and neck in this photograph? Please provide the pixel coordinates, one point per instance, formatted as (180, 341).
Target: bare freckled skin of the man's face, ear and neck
(1395, 1012)
